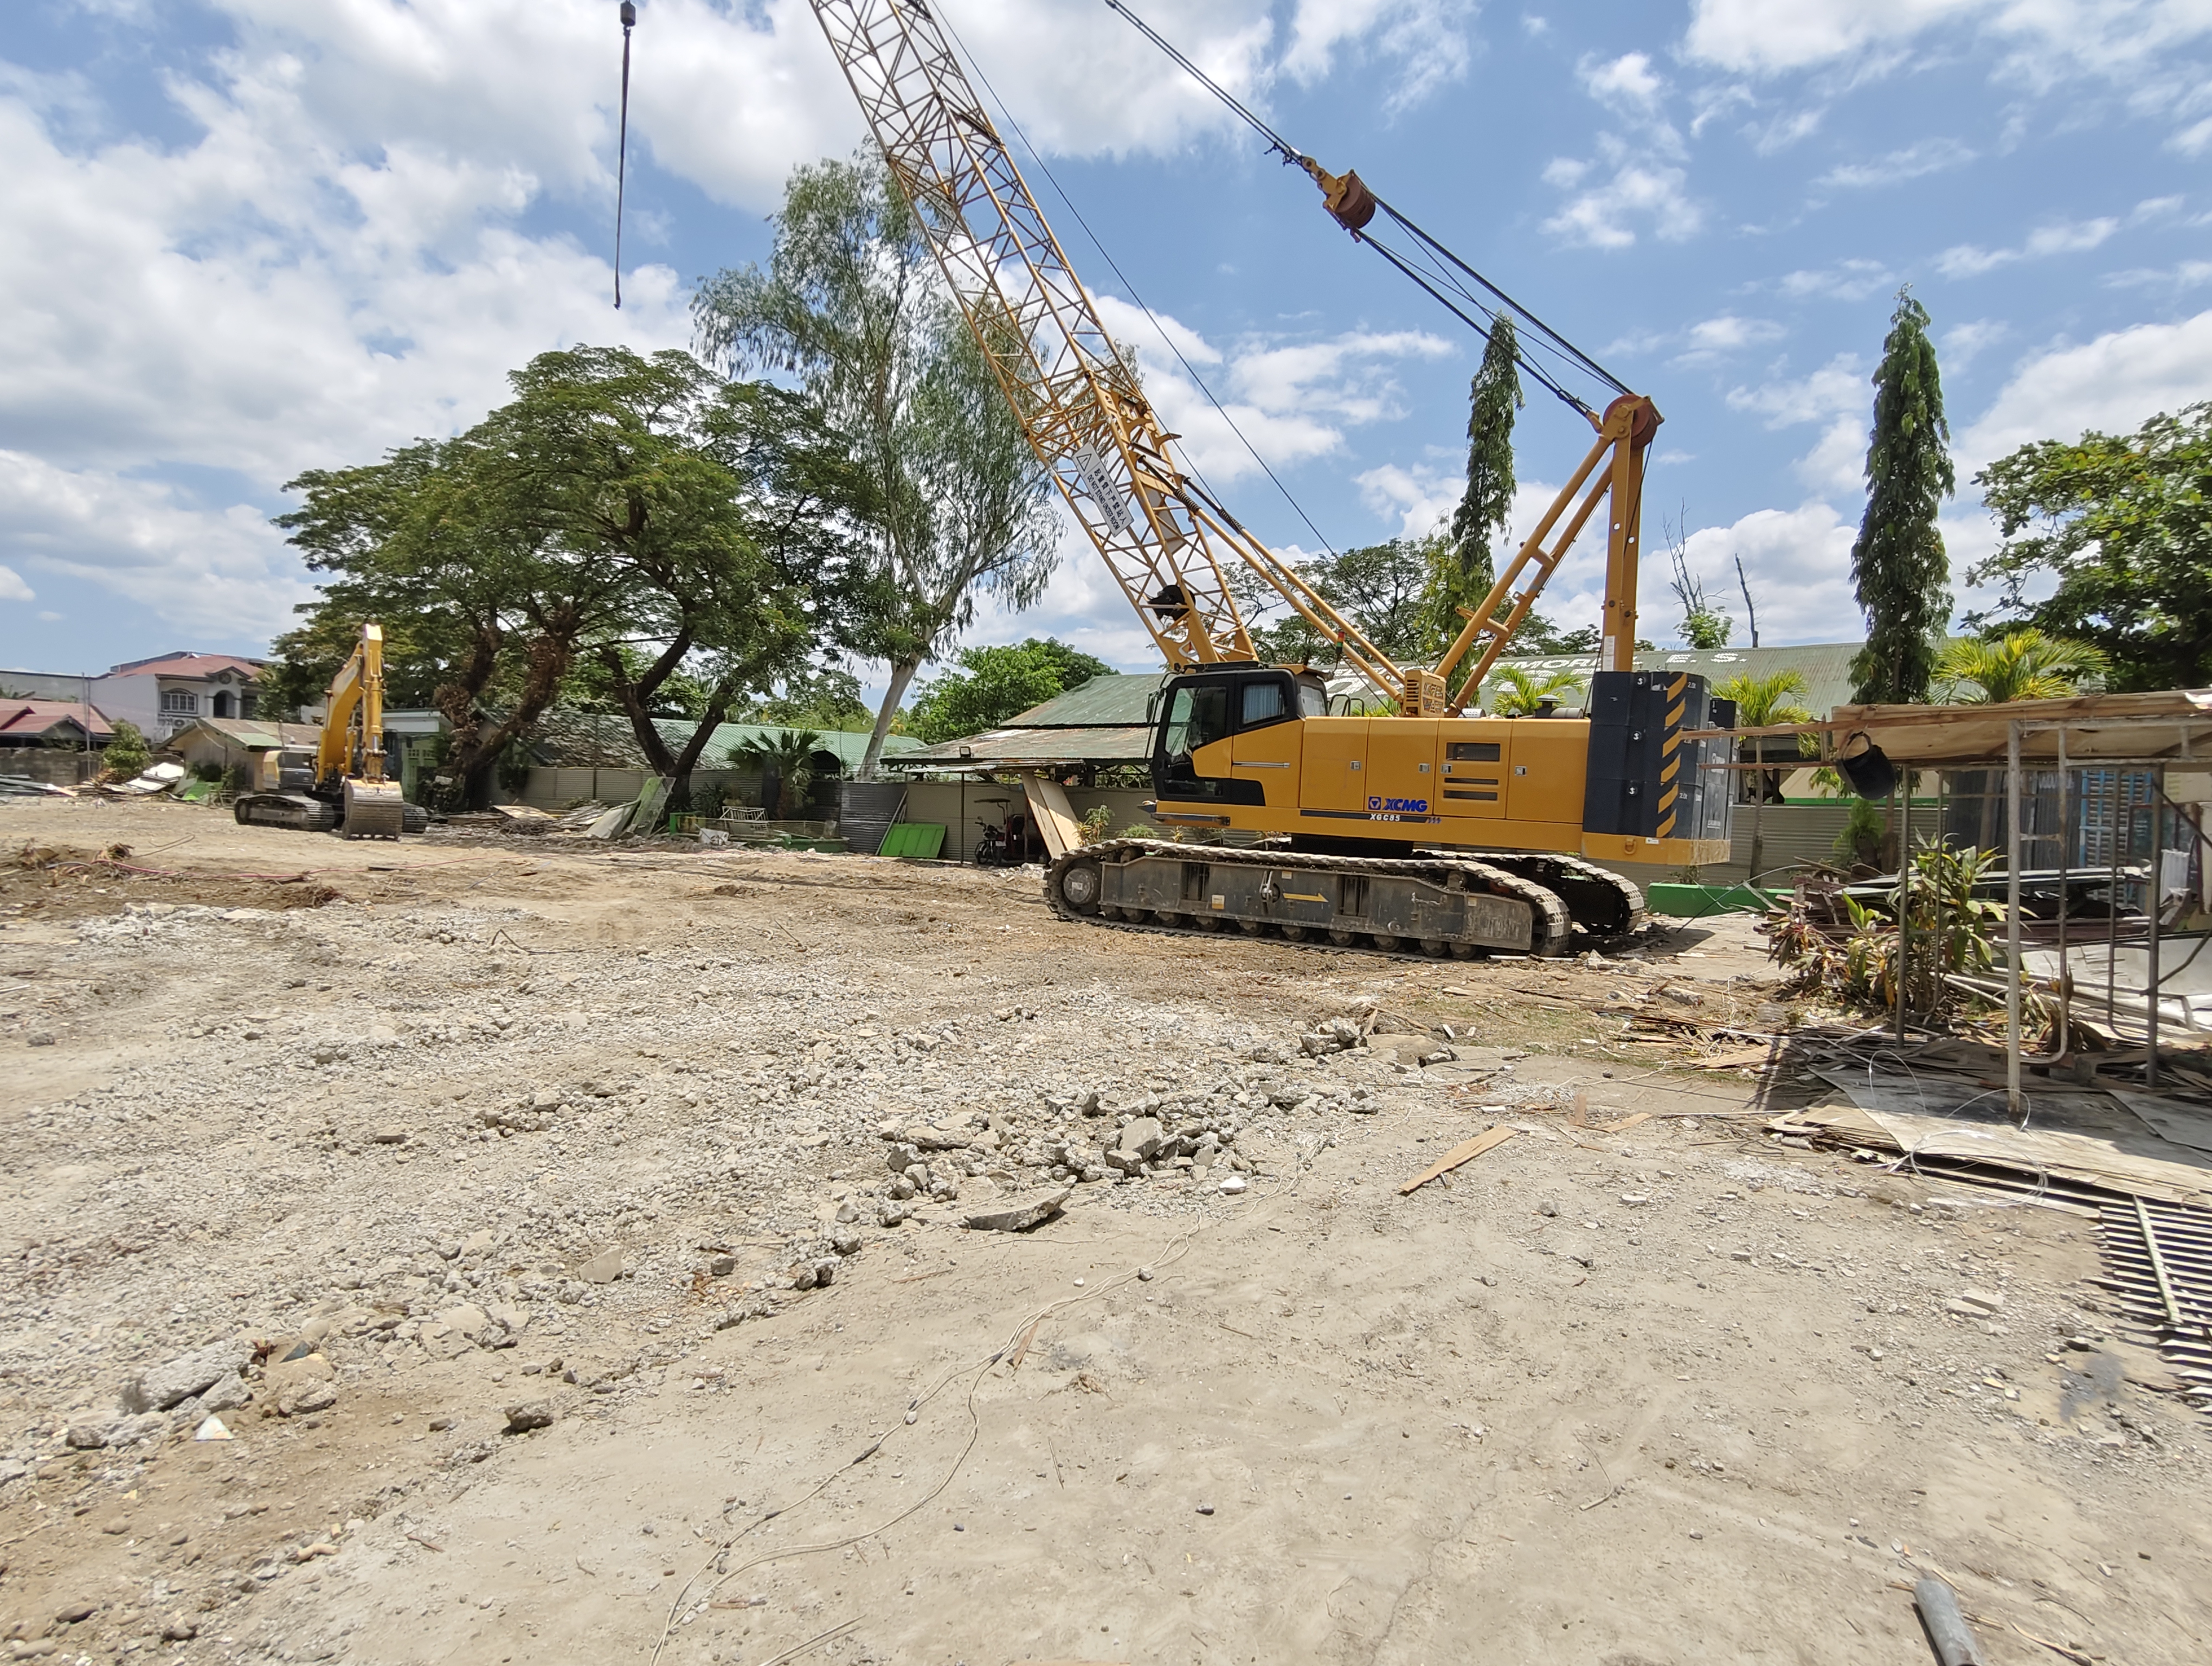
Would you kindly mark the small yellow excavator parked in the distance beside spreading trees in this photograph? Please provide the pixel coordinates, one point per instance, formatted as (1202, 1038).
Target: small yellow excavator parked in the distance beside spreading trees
(342, 784)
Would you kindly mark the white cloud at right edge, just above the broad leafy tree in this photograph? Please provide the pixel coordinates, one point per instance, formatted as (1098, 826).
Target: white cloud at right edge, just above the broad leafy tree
(2111, 384)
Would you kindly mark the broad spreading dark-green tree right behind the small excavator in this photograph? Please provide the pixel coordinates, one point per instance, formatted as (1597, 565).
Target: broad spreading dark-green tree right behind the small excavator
(605, 508)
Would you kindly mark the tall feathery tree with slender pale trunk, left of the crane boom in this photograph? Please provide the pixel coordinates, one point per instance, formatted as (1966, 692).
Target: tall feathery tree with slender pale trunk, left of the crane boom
(957, 501)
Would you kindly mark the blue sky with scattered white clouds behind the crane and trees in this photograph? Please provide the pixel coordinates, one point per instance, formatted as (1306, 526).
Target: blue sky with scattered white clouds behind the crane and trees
(262, 236)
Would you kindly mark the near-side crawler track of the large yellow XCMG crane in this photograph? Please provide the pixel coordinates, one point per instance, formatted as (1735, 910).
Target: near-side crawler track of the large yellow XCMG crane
(1428, 906)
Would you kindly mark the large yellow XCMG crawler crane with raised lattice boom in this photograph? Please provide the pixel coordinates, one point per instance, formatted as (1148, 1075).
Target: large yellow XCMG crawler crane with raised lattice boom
(1412, 829)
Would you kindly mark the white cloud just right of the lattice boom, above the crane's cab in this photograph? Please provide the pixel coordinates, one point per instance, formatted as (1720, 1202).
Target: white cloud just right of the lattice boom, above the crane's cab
(1291, 399)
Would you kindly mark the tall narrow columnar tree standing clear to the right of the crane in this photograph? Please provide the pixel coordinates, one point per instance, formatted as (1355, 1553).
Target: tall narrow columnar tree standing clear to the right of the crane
(1899, 561)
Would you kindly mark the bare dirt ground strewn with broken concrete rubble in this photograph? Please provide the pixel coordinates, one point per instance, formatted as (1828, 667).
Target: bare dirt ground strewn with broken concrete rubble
(1669, 1393)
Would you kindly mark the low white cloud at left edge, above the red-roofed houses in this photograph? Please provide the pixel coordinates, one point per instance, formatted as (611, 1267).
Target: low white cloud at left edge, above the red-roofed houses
(227, 574)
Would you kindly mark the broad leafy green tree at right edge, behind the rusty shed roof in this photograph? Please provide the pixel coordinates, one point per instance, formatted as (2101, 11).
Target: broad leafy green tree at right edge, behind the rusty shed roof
(2125, 523)
